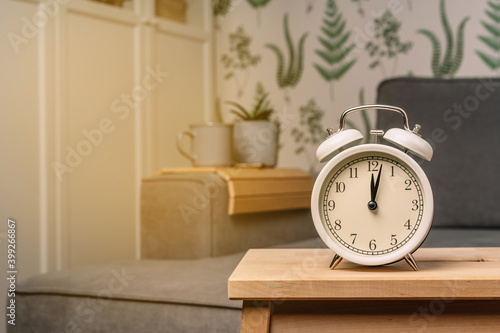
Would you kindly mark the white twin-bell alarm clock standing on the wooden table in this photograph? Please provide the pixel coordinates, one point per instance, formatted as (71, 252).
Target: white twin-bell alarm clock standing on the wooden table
(372, 204)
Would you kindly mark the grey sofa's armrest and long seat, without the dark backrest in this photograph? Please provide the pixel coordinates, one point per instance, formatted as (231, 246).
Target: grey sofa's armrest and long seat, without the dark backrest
(180, 283)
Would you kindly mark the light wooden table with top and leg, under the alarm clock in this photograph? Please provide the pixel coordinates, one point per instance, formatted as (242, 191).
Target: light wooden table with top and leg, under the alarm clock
(293, 290)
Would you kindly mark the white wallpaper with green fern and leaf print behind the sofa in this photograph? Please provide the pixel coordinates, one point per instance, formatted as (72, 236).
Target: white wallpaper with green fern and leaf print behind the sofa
(313, 59)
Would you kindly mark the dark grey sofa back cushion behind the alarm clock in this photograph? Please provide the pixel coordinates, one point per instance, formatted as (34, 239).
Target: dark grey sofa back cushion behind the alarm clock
(461, 120)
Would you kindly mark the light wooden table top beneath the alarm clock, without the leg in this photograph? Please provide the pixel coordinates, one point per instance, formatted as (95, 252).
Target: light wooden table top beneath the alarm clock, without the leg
(304, 274)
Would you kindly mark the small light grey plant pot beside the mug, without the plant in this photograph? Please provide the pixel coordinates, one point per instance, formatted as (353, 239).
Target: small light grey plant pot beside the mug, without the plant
(256, 142)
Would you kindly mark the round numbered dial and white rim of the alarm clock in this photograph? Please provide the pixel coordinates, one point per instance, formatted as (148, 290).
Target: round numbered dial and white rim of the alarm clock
(372, 204)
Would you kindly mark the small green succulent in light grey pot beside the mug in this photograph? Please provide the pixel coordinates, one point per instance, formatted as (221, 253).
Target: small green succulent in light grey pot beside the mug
(255, 135)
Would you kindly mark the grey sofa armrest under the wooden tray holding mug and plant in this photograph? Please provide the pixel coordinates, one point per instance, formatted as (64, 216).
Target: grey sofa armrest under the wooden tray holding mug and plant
(185, 216)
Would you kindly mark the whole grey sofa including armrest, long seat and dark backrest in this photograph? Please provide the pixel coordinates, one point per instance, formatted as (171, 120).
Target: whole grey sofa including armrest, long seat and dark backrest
(184, 288)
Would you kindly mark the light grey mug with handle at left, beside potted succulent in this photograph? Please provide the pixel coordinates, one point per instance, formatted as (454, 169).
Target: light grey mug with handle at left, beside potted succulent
(210, 144)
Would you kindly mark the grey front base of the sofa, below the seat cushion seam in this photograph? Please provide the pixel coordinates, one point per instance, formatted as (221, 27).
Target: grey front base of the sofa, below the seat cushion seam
(61, 313)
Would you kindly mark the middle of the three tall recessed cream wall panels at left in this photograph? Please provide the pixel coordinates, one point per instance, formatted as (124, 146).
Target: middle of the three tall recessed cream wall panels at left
(100, 126)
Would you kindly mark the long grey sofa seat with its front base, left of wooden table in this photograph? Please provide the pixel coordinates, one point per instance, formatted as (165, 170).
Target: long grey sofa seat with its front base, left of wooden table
(134, 296)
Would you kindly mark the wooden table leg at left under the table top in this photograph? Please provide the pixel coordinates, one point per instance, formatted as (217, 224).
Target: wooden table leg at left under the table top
(255, 316)
